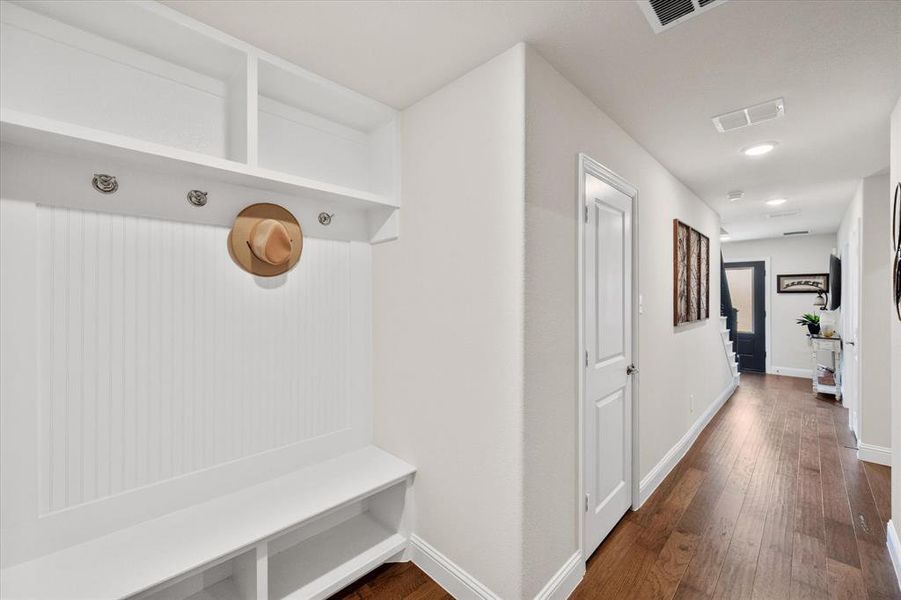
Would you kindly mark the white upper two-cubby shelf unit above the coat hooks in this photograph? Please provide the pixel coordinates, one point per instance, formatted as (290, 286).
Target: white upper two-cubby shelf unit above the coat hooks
(137, 83)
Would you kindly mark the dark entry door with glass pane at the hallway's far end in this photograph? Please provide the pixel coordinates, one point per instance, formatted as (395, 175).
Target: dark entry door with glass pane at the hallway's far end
(747, 287)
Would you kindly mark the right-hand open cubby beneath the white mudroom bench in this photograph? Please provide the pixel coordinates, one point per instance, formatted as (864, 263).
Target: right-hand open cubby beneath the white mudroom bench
(331, 560)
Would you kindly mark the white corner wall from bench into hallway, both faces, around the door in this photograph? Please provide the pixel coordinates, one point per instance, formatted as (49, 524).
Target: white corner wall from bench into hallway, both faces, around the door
(475, 317)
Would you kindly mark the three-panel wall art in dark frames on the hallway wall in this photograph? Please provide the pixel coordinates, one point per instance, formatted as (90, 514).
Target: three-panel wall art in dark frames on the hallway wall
(691, 274)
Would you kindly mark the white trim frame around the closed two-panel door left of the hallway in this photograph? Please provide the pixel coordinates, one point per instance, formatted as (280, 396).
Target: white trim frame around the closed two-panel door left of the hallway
(587, 165)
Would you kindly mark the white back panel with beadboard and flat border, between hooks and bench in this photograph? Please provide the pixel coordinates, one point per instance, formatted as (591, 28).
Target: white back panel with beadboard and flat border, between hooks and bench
(144, 372)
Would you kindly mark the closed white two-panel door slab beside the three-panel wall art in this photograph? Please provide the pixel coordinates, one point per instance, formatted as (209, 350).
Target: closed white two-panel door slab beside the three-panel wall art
(607, 319)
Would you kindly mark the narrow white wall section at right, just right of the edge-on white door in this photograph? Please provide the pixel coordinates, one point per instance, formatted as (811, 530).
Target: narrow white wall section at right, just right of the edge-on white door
(874, 335)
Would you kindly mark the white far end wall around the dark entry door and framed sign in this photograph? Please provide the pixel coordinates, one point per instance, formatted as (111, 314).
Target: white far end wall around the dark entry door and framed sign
(789, 352)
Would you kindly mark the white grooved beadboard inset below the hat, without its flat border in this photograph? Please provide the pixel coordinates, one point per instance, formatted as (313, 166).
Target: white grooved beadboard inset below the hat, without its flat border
(159, 357)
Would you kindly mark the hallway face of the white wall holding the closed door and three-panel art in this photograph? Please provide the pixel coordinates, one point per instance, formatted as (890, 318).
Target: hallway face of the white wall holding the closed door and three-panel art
(675, 362)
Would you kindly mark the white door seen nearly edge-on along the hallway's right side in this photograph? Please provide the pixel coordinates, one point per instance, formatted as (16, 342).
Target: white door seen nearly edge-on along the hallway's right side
(851, 328)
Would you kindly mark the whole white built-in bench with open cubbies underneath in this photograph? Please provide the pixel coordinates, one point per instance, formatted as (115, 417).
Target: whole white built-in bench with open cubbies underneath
(300, 536)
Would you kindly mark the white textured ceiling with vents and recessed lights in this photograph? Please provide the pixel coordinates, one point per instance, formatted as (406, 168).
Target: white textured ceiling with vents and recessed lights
(836, 63)
